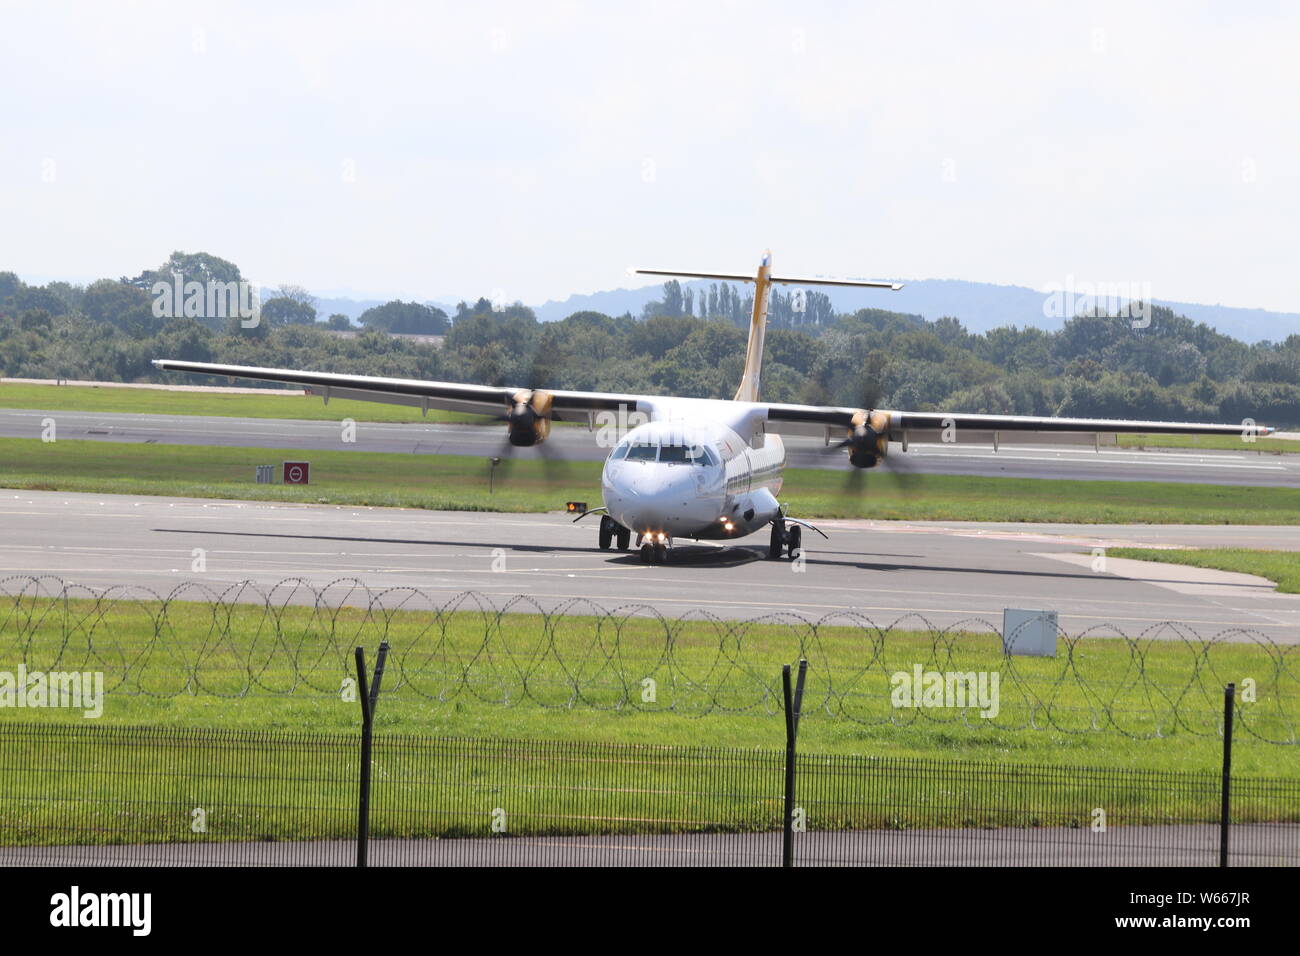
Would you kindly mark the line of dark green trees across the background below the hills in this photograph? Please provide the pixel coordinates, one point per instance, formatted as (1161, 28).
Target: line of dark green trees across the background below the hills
(1095, 366)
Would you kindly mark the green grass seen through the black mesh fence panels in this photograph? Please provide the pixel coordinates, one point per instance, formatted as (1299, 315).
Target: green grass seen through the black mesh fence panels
(141, 785)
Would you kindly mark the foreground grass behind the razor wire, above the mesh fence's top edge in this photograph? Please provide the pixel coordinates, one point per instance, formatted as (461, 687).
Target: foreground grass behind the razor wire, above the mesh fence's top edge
(583, 678)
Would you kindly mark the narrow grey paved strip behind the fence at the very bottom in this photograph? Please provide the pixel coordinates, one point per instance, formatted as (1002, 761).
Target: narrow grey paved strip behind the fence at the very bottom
(1253, 845)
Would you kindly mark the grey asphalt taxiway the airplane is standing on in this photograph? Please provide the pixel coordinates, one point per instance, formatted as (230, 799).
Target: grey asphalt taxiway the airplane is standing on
(942, 574)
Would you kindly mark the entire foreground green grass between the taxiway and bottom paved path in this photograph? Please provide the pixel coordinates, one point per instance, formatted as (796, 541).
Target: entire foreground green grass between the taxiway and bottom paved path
(200, 668)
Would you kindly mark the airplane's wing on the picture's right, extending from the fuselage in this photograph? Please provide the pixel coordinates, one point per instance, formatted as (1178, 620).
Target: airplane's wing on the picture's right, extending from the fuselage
(961, 427)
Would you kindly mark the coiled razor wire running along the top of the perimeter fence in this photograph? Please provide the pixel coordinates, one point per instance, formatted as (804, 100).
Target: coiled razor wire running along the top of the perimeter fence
(296, 641)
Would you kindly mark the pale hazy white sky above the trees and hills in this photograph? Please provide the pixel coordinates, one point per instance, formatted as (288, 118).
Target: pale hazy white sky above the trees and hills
(540, 149)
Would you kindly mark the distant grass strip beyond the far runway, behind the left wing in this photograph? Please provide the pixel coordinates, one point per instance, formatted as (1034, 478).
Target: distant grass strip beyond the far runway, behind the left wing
(222, 404)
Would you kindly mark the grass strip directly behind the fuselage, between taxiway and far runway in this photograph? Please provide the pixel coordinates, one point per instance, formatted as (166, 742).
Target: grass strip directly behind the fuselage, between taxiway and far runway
(461, 483)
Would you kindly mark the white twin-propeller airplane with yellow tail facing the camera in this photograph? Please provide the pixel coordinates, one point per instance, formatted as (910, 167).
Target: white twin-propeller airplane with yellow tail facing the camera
(705, 469)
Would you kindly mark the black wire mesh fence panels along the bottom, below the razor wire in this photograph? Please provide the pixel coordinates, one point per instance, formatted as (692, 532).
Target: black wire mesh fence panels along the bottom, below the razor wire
(105, 795)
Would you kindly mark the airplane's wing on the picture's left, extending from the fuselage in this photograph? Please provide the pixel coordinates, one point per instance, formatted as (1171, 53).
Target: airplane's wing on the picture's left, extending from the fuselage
(479, 400)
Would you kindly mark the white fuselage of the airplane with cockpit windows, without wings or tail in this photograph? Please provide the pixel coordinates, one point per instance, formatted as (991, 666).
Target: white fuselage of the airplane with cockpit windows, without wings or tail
(699, 469)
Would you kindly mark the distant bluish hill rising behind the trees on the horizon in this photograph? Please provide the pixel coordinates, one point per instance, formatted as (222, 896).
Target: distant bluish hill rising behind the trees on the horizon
(981, 306)
